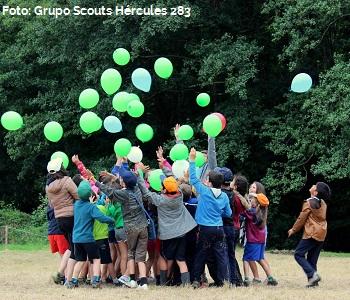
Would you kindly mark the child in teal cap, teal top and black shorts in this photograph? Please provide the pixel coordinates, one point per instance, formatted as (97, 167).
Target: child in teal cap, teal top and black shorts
(84, 243)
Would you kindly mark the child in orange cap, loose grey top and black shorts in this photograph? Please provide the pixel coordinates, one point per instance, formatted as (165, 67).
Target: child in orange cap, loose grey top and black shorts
(174, 222)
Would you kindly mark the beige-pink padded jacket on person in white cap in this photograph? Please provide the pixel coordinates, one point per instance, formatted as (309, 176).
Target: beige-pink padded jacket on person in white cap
(61, 194)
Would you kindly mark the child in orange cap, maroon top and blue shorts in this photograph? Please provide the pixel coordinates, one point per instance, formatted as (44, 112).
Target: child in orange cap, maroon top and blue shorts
(254, 249)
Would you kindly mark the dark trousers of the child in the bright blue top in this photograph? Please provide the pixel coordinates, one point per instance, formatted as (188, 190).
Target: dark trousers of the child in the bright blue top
(211, 238)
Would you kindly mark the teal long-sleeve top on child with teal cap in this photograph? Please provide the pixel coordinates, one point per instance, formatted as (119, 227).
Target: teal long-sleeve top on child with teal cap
(84, 215)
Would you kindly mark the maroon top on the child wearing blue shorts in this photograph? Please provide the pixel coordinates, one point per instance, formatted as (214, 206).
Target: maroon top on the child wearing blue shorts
(254, 233)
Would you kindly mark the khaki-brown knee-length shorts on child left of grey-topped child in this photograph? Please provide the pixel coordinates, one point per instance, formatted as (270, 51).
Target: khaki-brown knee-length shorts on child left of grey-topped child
(137, 244)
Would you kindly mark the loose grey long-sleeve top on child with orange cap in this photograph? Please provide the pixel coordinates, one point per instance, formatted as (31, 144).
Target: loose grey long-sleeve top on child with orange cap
(173, 218)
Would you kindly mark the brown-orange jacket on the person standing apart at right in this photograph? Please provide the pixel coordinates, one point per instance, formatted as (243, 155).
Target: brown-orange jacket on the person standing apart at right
(313, 219)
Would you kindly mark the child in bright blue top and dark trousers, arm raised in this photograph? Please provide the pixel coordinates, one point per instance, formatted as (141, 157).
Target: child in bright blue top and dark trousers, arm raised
(213, 205)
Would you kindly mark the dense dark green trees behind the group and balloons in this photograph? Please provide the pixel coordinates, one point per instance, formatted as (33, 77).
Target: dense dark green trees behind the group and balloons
(243, 53)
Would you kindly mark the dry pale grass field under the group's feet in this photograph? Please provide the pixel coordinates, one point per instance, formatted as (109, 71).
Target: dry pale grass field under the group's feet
(25, 274)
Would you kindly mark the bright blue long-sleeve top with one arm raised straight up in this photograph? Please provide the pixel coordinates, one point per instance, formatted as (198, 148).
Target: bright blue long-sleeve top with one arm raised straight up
(213, 204)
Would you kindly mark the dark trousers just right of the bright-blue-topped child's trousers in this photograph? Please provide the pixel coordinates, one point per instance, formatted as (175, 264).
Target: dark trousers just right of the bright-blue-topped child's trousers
(232, 239)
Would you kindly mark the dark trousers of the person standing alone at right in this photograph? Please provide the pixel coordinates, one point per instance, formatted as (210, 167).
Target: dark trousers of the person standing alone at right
(311, 248)
